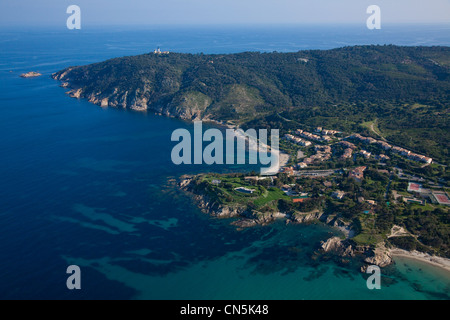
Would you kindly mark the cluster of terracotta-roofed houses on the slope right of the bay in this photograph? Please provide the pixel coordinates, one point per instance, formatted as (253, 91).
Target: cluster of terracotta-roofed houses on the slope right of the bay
(329, 145)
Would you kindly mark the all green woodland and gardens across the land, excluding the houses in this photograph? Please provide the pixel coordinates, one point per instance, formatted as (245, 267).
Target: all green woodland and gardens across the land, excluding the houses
(399, 93)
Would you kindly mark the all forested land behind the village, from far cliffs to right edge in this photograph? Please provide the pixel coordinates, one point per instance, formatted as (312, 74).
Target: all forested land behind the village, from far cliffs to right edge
(405, 91)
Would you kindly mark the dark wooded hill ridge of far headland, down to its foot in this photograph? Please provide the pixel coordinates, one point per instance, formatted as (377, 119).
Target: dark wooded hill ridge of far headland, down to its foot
(247, 85)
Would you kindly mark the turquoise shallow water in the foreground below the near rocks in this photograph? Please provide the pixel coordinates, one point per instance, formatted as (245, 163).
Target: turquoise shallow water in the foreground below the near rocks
(278, 267)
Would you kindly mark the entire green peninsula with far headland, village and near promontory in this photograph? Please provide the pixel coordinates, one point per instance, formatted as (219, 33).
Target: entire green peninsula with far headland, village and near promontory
(366, 129)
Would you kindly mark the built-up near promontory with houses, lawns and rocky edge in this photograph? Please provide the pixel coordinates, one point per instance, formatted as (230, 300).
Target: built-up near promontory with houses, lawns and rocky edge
(361, 185)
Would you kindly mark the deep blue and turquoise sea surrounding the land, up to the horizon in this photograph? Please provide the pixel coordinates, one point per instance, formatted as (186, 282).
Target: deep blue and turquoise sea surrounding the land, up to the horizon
(94, 187)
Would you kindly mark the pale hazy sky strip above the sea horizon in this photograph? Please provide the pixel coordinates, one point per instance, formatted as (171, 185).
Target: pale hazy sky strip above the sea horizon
(156, 12)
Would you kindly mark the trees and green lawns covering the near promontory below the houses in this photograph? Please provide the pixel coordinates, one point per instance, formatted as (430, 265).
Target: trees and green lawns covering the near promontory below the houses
(364, 206)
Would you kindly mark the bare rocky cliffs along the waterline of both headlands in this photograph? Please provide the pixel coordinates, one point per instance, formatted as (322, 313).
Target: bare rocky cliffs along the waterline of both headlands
(192, 109)
